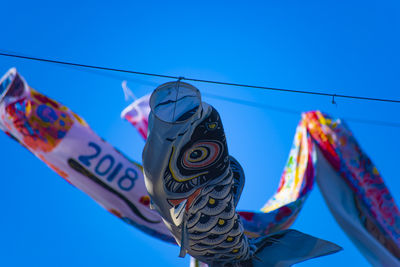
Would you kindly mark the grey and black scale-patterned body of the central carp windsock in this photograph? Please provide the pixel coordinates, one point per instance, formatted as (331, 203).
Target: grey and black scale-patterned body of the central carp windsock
(214, 228)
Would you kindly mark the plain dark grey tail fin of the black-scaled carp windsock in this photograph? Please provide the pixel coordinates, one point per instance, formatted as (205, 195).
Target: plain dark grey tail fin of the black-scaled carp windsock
(288, 247)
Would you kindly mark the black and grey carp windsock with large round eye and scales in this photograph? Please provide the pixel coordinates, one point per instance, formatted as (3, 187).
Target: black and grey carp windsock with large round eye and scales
(195, 186)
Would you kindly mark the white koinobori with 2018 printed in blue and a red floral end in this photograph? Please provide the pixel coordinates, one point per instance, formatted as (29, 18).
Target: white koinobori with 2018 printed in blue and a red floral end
(64, 141)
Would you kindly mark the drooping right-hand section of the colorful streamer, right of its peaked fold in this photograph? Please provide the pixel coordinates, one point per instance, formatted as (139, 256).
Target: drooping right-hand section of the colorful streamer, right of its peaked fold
(354, 190)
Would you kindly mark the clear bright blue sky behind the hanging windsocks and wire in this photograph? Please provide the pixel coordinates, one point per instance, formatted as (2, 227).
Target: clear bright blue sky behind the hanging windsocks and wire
(342, 47)
